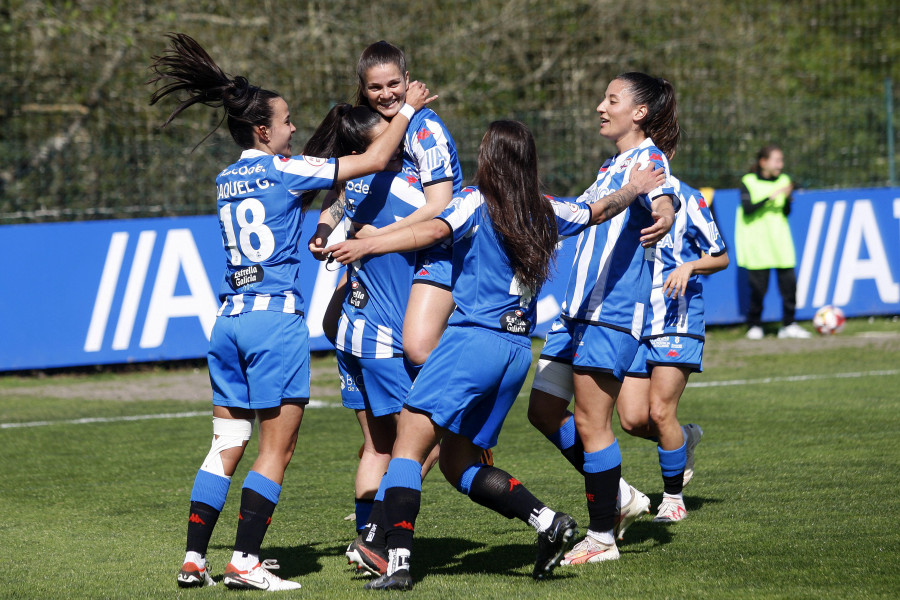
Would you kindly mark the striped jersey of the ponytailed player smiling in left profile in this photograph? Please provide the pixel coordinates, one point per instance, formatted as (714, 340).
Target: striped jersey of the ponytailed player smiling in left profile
(611, 275)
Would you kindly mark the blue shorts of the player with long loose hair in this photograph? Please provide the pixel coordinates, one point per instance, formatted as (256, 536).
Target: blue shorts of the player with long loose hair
(470, 381)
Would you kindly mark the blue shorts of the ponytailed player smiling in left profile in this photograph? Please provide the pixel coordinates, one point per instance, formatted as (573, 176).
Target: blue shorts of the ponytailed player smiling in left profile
(603, 349)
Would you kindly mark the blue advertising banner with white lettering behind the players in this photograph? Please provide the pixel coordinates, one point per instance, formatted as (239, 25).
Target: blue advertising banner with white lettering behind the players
(106, 292)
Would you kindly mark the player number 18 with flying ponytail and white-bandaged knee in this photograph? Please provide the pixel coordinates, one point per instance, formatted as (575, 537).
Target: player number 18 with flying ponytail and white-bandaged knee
(259, 350)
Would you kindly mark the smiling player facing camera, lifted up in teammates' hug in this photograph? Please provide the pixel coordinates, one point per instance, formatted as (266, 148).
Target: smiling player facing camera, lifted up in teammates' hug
(429, 155)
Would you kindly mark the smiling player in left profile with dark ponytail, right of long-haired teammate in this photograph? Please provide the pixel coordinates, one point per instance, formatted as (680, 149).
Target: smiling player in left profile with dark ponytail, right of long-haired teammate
(608, 292)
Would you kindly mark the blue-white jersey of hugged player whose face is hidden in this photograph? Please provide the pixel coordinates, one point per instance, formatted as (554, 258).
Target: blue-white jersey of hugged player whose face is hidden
(371, 323)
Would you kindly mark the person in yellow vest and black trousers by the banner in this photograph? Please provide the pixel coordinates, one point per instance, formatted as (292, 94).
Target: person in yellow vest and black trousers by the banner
(763, 241)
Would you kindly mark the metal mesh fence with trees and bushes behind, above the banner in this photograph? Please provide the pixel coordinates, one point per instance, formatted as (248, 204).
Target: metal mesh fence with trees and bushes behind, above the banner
(79, 141)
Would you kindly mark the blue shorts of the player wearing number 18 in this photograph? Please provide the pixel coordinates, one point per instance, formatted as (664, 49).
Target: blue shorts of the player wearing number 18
(259, 359)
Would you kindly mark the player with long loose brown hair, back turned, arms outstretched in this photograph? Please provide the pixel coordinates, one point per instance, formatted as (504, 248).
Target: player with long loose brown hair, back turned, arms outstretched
(504, 233)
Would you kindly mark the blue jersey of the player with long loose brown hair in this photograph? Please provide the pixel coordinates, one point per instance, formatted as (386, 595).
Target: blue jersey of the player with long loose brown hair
(485, 289)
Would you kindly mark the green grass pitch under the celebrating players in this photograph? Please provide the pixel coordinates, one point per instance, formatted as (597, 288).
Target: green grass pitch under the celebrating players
(795, 496)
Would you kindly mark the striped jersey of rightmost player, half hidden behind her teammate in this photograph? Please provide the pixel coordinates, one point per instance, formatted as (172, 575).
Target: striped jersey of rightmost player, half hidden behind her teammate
(693, 233)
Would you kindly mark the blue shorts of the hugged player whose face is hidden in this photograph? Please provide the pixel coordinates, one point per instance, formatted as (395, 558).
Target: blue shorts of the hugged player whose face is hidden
(378, 384)
